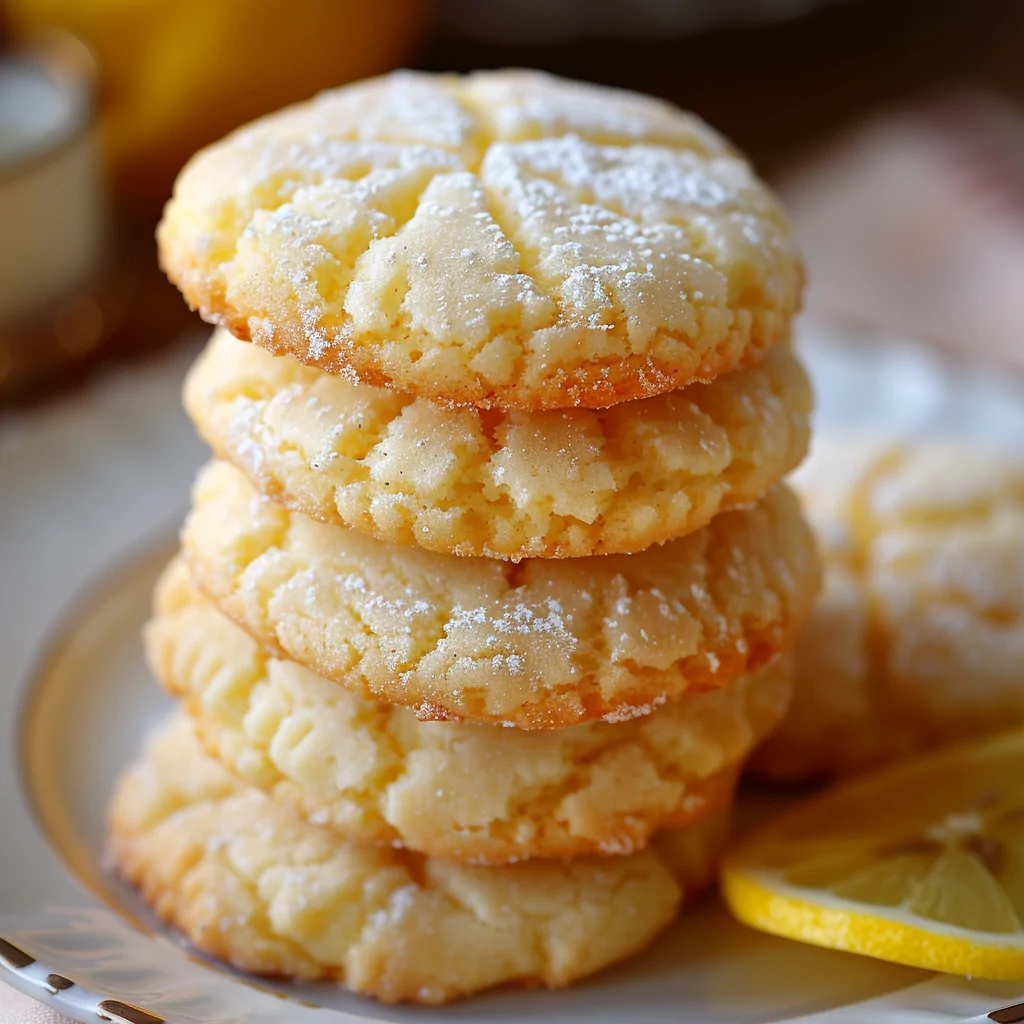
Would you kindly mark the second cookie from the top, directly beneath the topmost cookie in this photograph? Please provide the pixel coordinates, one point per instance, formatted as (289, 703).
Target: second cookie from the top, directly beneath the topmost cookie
(508, 485)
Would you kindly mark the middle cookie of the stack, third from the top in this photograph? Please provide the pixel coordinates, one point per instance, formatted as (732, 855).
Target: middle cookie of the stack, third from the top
(544, 644)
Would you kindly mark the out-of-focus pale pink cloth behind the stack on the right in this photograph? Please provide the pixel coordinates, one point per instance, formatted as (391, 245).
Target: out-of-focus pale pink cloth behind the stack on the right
(914, 226)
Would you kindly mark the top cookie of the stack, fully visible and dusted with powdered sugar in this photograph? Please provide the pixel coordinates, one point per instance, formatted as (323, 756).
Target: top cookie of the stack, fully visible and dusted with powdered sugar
(506, 239)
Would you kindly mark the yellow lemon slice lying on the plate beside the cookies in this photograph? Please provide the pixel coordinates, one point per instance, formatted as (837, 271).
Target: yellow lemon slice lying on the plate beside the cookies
(921, 865)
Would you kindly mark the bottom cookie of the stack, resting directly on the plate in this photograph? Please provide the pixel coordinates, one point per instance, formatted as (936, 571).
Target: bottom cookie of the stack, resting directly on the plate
(251, 883)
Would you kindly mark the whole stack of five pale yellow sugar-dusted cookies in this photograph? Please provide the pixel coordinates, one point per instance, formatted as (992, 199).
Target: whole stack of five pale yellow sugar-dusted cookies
(486, 601)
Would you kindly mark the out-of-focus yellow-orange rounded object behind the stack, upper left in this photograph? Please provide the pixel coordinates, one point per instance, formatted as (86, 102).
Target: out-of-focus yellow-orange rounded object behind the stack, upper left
(178, 74)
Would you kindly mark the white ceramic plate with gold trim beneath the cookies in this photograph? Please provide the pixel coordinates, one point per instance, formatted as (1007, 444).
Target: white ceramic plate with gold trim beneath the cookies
(90, 499)
